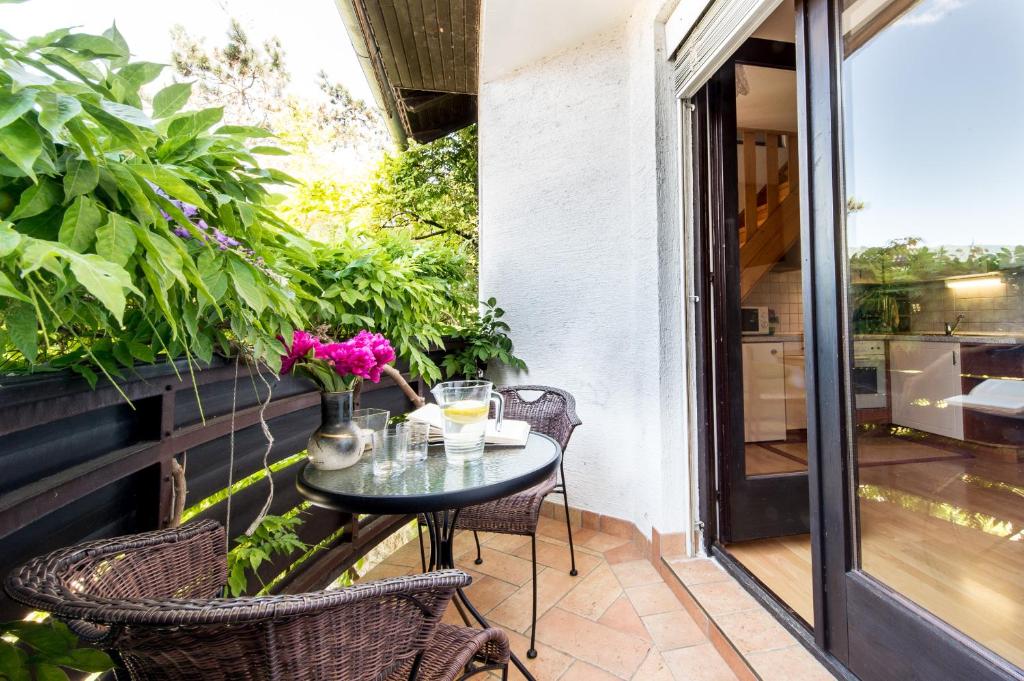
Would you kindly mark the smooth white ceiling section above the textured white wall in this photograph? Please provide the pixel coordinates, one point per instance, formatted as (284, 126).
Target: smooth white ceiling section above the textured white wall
(516, 33)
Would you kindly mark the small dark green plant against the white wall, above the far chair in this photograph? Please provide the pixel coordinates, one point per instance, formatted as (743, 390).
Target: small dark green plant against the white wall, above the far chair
(481, 342)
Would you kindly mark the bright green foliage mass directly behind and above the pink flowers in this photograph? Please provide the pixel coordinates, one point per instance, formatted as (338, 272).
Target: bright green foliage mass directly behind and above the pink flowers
(412, 292)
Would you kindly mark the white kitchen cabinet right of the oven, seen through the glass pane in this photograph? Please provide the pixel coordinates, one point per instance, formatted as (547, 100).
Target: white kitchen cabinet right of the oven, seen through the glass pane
(923, 375)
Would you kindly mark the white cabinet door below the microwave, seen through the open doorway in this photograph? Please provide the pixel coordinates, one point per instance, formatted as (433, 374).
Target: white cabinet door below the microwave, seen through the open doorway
(764, 393)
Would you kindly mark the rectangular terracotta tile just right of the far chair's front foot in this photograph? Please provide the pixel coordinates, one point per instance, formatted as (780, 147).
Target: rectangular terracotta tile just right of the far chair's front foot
(594, 644)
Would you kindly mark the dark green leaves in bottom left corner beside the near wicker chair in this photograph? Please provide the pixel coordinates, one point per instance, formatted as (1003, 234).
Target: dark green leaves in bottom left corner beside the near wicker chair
(42, 651)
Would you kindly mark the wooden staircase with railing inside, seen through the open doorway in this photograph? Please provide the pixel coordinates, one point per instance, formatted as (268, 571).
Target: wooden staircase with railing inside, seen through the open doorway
(775, 206)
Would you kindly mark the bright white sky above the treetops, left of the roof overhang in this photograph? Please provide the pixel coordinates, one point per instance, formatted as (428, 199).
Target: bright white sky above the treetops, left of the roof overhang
(312, 31)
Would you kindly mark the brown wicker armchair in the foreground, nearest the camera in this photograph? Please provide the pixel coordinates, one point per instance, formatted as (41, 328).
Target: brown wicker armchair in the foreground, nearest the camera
(153, 601)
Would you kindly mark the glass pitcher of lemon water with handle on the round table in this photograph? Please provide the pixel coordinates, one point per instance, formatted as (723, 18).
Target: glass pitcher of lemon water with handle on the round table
(464, 408)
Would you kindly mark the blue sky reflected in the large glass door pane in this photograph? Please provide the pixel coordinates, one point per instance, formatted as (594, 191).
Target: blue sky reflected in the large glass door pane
(934, 126)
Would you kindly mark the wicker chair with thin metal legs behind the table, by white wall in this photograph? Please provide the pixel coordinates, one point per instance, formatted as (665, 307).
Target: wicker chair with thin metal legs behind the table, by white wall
(553, 414)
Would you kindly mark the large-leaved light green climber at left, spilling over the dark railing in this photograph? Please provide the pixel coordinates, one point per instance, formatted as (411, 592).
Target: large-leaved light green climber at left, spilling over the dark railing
(93, 276)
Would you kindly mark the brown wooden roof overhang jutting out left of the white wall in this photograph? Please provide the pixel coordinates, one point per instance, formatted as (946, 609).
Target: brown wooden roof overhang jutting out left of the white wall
(422, 61)
